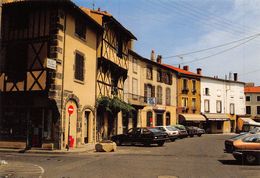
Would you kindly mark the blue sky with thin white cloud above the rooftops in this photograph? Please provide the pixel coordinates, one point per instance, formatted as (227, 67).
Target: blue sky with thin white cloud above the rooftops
(174, 27)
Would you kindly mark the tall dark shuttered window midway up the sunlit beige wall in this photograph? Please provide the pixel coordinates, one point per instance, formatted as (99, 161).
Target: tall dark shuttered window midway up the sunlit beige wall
(79, 67)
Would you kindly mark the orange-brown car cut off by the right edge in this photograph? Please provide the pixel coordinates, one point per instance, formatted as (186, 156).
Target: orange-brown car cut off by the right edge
(244, 147)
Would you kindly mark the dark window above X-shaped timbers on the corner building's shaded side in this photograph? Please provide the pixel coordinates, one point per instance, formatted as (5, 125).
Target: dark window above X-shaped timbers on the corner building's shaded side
(17, 61)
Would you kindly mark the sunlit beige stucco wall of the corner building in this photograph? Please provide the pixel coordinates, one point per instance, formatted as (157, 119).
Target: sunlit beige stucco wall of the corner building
(84, 90)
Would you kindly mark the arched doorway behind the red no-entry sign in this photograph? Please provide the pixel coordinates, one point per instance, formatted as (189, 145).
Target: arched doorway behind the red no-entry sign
(71, 120)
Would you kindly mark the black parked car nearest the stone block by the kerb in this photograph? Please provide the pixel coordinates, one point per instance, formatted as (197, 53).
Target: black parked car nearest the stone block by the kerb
(143, 135)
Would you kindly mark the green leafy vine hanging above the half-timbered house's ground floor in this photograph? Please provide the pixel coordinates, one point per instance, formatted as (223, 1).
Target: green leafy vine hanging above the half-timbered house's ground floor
(113, 105)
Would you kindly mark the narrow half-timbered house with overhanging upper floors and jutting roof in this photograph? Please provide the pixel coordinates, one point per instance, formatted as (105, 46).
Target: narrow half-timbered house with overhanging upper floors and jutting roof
(112, 68)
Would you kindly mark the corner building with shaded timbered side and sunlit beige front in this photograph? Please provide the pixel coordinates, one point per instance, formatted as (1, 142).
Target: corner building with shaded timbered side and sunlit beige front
(48, 65)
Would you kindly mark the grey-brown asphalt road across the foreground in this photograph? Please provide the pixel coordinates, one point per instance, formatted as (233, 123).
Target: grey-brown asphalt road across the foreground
(198, 157)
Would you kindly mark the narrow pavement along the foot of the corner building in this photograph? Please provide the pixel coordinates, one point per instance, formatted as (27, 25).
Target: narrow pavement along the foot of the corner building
(88, 148)
